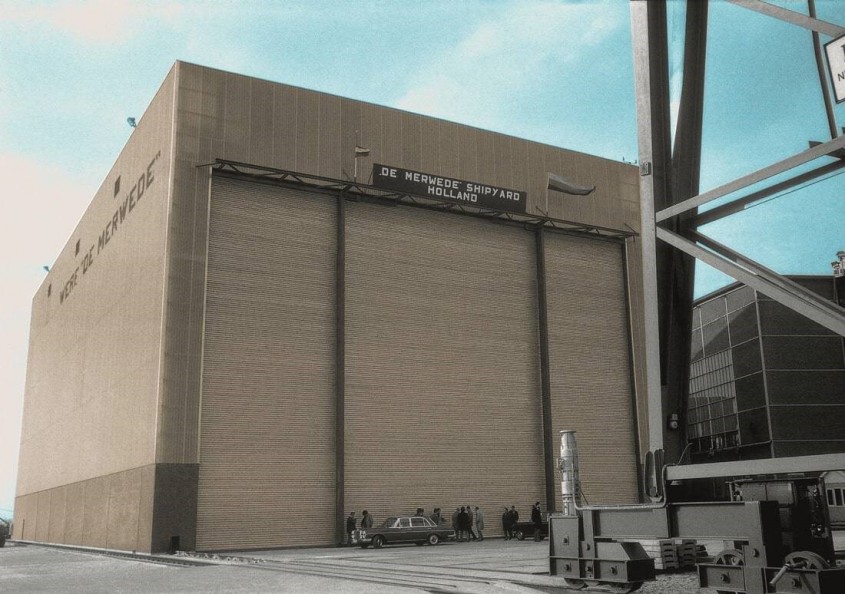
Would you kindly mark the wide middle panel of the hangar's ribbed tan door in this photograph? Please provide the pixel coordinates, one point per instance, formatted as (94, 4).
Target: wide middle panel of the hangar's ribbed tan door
(443, 401)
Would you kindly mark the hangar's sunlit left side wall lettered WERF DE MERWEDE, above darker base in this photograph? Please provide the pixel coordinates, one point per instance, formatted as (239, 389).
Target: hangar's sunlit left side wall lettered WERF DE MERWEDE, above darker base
(92, 373)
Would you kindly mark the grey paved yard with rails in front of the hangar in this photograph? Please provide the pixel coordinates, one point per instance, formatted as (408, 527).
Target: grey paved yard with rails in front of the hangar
(490, 567)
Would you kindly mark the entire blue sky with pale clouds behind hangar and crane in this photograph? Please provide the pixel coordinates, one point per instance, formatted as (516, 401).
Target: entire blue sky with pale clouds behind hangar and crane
(554, 71)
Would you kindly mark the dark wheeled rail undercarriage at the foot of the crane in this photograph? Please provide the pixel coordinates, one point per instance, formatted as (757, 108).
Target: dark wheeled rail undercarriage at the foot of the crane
(777, 533)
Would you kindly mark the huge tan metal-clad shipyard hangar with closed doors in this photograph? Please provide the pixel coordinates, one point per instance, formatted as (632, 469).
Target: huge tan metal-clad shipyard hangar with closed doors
(257, 328)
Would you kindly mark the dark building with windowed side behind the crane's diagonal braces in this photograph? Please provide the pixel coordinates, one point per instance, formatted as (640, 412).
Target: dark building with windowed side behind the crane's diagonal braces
(765, 382)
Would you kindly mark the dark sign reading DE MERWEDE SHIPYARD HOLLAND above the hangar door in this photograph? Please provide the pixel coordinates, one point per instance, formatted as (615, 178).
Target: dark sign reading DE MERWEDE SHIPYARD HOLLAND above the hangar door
(447, 188)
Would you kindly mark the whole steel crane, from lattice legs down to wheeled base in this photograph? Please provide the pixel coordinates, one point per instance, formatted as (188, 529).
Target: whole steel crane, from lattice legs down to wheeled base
(598, 547)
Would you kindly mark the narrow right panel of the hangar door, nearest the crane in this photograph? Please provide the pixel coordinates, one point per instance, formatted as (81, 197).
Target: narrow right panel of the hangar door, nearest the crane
(590, 365)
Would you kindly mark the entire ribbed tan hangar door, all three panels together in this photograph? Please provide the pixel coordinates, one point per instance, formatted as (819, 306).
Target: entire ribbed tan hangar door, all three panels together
(443, 403)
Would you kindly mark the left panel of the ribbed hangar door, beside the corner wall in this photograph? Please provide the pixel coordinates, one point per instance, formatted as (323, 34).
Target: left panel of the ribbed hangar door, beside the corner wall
(267, 418)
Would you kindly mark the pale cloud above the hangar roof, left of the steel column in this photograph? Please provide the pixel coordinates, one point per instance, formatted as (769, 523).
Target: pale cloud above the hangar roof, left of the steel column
(516, 49)
